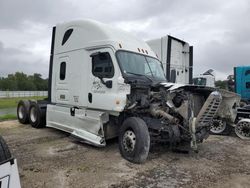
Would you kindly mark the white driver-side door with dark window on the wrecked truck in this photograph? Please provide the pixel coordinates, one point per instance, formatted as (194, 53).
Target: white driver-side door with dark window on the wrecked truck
(104, 73)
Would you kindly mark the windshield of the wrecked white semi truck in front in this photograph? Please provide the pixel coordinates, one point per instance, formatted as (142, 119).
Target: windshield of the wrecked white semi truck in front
(136, 64)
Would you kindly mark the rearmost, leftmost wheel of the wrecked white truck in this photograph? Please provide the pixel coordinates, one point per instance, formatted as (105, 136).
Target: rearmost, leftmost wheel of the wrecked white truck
(23, 111)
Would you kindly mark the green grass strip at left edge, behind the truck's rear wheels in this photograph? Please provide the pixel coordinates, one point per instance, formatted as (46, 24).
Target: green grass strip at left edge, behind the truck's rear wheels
(12, 102)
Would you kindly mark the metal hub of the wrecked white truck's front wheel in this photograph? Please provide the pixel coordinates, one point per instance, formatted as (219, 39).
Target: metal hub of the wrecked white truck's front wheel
(129, 140)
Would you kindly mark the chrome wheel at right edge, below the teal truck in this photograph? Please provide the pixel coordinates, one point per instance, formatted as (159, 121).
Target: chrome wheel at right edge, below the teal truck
(242, 129)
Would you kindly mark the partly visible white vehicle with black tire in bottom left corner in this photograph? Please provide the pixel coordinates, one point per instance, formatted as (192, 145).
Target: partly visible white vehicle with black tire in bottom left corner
(9, 177)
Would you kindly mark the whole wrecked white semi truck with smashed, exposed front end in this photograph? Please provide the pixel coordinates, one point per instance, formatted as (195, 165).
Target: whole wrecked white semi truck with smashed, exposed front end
(105, 83)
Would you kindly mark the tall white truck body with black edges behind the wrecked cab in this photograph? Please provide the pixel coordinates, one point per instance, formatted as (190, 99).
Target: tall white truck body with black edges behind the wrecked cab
(176, 56)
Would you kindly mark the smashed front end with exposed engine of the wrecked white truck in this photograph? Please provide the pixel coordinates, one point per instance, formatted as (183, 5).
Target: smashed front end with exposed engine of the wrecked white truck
(179, 113)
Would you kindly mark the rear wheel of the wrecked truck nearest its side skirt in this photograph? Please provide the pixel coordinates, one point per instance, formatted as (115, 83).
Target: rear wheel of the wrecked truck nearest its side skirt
(37, 115)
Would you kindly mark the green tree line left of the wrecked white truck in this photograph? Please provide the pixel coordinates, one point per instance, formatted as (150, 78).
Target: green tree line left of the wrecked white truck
(22, 82)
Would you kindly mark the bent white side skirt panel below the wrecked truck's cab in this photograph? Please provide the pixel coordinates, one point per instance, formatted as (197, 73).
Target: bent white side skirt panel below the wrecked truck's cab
(85, 124)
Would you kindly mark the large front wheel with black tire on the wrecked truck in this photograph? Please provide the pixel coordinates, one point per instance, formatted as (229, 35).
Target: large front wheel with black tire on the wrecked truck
(134, 140)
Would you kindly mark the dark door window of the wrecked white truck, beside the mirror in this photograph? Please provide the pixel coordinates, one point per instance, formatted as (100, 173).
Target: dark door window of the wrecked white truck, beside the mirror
(102, 65)
